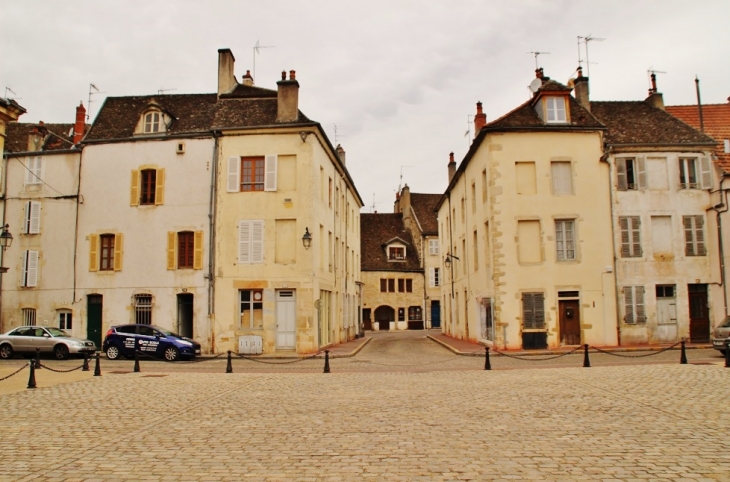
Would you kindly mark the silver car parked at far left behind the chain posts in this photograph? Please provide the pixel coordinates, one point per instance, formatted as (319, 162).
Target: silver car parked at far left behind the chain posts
(26, 339)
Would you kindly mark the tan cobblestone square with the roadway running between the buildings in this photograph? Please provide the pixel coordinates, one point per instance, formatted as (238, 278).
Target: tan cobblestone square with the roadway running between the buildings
(634, 422)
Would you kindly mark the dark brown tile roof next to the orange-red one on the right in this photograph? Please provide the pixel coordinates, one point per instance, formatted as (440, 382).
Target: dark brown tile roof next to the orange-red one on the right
(638, 122)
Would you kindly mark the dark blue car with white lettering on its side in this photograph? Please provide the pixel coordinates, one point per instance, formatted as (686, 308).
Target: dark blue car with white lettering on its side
(123, 340)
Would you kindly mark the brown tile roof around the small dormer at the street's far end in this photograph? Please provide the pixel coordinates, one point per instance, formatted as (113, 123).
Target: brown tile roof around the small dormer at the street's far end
(377, 229)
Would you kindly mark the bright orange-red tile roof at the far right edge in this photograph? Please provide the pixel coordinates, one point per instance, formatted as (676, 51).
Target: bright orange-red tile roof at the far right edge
(716, 122)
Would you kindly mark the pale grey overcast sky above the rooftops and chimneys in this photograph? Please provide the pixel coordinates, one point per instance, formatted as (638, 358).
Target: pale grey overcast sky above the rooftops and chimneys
(394, 81)
